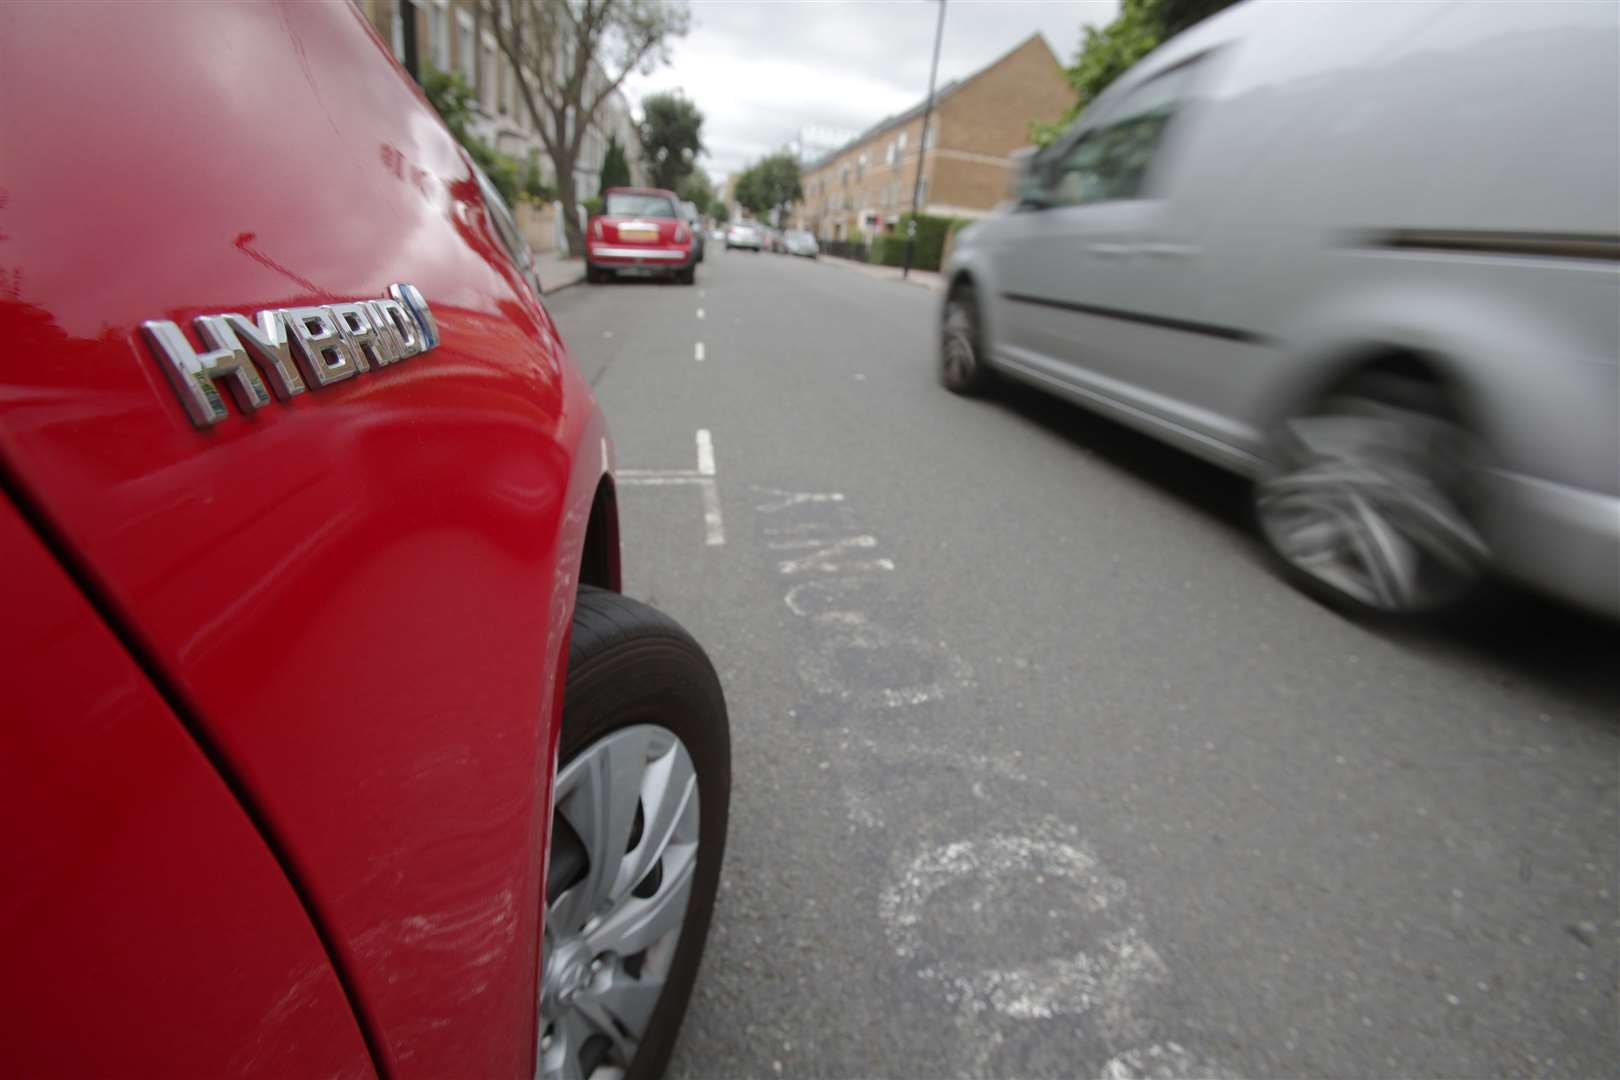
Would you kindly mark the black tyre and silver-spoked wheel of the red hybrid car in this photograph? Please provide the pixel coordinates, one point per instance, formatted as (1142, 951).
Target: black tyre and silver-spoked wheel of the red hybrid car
(641, 691)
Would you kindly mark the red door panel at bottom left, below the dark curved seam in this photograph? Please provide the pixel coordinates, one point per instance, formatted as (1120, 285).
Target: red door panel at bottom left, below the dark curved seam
(148, 932)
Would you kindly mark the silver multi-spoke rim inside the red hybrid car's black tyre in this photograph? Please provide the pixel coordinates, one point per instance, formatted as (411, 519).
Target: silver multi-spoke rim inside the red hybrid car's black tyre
(631, 802)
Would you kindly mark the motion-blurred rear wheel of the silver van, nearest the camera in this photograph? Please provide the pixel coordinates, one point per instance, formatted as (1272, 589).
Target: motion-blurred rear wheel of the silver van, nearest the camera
(1365, 503)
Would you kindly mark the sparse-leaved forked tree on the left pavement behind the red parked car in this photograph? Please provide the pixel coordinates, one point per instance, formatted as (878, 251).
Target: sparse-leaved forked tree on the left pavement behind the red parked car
(568, 57)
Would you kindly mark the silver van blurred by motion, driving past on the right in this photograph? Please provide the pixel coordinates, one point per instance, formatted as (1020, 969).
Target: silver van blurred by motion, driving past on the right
(1344, 252)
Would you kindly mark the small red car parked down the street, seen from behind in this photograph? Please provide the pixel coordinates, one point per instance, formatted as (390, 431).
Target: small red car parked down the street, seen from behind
(641, 232)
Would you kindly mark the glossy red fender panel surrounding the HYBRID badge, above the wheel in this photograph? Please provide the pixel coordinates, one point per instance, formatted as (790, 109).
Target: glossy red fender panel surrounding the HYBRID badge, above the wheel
(357, 602)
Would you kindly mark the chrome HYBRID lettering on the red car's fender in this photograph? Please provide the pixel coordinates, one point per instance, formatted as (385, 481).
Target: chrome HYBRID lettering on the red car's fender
(286, 351)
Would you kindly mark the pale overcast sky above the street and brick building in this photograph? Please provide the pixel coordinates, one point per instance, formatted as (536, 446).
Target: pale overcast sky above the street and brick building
(769, 72)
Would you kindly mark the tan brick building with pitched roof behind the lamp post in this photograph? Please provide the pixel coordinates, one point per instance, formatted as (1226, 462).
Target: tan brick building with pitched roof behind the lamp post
(978, 124)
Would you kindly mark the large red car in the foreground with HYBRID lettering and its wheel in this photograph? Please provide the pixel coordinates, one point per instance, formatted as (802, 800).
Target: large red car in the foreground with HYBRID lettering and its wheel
(330, 746)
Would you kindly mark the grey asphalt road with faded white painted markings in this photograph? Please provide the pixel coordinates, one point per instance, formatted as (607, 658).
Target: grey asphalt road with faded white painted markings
(1042, 773)
